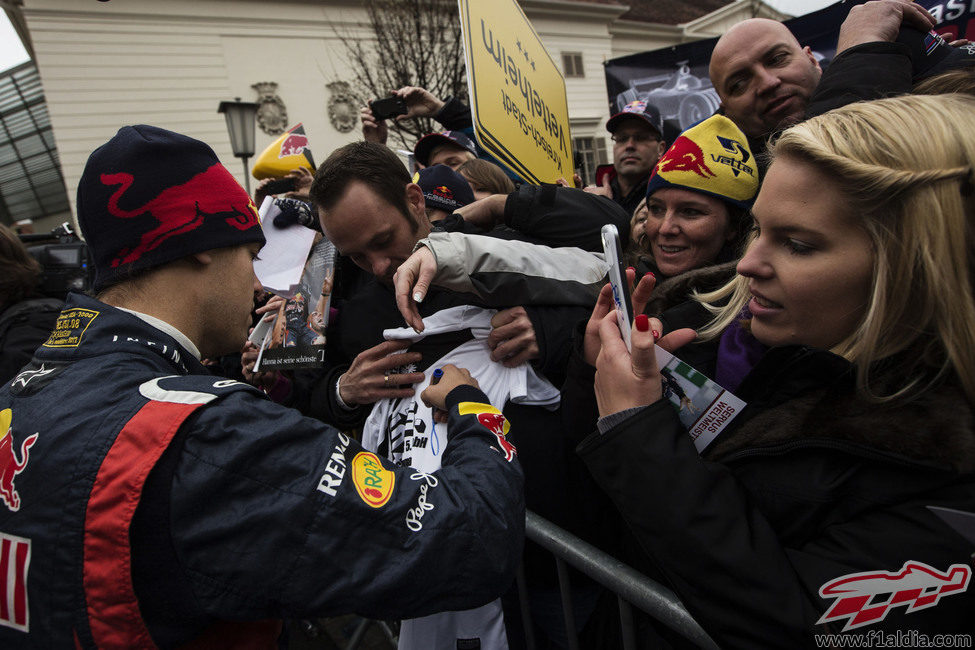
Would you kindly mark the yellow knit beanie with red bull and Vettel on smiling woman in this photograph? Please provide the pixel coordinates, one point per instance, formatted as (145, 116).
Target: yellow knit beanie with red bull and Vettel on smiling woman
(712, 157)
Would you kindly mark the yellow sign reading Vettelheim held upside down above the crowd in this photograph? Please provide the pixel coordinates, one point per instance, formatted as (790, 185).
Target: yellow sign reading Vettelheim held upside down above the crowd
(517, 92)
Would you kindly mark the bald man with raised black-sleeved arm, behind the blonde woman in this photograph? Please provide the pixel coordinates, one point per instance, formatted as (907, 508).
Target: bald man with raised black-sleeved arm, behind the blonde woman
(765, 78)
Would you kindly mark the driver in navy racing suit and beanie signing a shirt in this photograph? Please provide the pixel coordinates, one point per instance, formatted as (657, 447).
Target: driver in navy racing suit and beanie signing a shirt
(147, 503)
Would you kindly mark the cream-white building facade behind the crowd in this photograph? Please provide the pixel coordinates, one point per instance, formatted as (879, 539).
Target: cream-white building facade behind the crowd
(108, 64)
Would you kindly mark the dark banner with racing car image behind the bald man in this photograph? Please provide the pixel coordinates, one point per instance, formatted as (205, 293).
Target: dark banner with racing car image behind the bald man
(675, 79)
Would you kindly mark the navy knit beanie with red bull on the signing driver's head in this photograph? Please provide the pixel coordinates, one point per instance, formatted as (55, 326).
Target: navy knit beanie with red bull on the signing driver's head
(150, 196)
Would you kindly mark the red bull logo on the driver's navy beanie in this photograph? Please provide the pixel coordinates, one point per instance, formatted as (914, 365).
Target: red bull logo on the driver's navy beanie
(174, 209)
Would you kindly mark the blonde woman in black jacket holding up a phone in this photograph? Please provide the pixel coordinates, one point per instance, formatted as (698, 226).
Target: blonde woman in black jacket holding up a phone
(850, 332)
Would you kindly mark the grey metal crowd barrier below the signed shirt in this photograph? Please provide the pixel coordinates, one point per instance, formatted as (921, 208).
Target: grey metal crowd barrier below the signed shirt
(630, 586)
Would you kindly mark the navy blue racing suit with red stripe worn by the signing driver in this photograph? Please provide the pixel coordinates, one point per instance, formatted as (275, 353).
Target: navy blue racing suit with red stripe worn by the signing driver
(146, 502)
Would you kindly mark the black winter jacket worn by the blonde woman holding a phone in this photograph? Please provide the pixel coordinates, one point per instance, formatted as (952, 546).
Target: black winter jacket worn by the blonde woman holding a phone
(810, 484)
